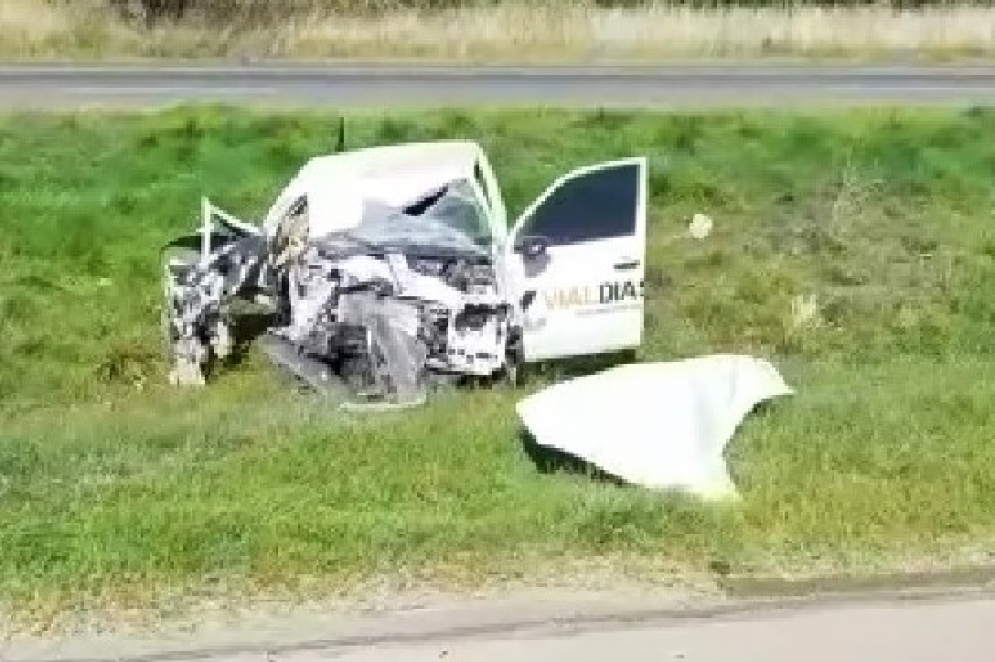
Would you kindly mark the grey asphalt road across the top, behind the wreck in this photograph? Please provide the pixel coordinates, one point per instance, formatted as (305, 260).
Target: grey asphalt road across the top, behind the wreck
(380, 86)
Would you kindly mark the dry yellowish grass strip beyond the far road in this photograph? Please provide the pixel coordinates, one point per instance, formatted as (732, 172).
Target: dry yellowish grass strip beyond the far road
(516, 31)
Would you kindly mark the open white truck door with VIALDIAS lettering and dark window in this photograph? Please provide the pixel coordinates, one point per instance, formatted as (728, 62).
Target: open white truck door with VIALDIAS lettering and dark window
(576, 260)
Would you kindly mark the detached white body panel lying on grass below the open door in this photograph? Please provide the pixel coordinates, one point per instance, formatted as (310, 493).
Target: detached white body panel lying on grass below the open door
(657, 425)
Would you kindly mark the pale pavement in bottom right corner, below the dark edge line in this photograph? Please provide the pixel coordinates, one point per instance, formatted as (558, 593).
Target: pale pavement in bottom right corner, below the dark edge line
(934, 633)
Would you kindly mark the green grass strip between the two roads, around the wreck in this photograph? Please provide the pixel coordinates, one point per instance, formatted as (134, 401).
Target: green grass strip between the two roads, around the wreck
(113, 486)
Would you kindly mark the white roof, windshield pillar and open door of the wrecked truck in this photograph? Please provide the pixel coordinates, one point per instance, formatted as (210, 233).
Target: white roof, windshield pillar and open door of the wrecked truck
(572, 263)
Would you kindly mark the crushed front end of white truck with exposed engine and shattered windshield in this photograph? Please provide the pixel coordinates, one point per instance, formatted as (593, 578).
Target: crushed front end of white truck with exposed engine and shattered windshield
(406, 300)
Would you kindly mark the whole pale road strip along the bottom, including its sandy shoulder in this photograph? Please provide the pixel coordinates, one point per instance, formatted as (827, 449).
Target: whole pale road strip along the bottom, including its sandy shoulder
(923, 629)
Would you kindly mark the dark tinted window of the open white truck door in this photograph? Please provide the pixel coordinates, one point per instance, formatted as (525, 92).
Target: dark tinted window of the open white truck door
(600, 204)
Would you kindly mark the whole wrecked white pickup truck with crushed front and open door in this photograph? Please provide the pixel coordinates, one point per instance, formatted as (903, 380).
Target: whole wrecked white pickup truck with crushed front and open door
(392, 269)
